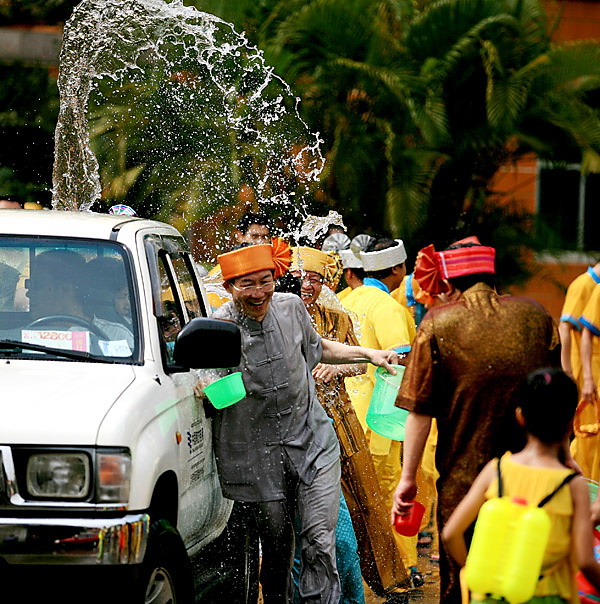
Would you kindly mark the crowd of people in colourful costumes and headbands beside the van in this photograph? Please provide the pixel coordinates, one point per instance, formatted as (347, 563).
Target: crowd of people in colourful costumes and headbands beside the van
(322, 486)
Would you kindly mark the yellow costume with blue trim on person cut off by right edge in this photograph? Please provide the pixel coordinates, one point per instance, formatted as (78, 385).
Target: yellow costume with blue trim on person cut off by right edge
(586, 445)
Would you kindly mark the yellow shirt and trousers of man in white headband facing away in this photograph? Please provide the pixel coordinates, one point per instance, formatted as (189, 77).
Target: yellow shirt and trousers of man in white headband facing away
(384, 325)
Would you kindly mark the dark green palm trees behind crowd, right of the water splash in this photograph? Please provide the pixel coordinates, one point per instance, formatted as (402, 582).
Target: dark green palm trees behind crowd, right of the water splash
(420, 103)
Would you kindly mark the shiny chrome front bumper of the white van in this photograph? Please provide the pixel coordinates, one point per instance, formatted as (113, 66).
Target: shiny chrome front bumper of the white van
(74, 541)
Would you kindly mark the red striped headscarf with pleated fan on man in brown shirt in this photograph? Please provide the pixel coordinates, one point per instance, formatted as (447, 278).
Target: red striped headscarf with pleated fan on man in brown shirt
(431, 267)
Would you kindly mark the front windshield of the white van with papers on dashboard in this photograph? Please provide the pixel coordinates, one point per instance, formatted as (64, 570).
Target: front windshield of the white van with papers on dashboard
(66, 294)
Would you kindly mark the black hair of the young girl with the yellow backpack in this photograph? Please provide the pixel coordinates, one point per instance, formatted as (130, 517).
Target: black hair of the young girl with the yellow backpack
(548, 401)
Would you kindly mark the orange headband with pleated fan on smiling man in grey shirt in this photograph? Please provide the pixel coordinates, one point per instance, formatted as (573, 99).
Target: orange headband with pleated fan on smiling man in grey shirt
(275, 256)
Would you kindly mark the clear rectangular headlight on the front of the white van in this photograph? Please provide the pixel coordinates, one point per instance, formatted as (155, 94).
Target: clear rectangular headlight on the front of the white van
(58, 475)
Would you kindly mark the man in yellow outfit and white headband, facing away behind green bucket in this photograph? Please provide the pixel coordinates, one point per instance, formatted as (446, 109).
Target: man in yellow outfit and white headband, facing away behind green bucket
(384, 325)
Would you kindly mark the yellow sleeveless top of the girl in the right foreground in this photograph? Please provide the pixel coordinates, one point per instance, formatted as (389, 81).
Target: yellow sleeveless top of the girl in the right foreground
(534, 484)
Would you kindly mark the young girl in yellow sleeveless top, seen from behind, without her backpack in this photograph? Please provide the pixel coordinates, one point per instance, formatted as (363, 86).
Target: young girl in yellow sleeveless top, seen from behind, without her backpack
(538, 474)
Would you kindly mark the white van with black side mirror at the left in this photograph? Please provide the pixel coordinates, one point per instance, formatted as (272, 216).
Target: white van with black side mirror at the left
(105, 454)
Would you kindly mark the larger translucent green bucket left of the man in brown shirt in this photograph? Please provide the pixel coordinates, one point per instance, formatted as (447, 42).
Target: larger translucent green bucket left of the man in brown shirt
(383, 417)
